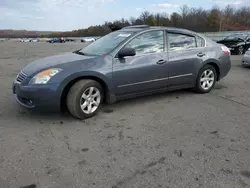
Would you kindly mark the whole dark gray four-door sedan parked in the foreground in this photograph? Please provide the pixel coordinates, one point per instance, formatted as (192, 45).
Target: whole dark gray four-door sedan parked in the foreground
(133, 61)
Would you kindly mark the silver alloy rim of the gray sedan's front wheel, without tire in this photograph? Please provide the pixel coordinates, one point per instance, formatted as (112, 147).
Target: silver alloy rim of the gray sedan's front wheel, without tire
(90, 100)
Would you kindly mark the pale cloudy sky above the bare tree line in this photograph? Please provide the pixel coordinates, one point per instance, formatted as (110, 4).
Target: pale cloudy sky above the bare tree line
(65, 15)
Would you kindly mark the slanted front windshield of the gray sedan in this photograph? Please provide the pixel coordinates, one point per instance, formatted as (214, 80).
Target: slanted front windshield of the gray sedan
(106, 44)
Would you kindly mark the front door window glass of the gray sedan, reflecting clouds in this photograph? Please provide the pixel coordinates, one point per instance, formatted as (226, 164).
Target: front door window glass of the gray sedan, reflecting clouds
(149, 42)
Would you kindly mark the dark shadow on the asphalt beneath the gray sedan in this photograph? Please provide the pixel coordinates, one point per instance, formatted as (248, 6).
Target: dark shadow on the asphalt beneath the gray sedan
(110, 108)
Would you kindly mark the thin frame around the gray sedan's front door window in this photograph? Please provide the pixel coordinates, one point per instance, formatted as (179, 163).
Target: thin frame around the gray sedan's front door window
(129, 40)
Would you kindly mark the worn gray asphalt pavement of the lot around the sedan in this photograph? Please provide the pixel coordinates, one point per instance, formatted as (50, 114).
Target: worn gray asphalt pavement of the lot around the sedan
(174, 140)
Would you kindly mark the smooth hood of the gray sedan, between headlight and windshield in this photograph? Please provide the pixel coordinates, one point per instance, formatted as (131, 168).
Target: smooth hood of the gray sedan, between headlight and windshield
(56, 61)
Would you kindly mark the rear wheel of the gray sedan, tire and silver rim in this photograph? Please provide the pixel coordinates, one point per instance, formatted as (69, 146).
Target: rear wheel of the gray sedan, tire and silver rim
(210, 81)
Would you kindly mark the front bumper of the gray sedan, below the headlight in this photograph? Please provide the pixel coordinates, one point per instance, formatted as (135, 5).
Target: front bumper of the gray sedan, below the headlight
(41, 97)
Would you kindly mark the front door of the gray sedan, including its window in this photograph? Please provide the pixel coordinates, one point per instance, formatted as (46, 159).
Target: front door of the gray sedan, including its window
(145, 71)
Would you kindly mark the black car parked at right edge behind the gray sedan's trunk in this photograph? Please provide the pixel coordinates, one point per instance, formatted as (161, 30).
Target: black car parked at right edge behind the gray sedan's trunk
(237, 43)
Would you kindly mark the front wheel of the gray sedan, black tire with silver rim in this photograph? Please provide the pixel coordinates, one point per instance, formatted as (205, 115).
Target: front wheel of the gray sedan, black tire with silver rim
(76, 99)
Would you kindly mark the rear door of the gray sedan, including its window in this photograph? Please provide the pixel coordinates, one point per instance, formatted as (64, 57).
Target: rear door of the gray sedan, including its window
(185, 57)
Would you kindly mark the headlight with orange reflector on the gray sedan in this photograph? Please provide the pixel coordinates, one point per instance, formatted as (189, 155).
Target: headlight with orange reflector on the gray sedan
(44, 76)
